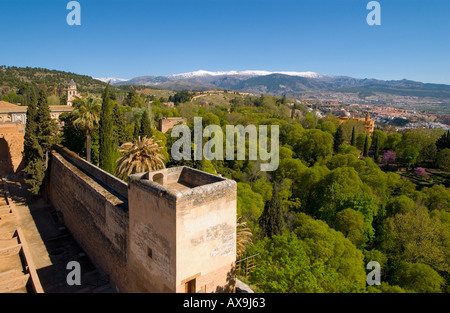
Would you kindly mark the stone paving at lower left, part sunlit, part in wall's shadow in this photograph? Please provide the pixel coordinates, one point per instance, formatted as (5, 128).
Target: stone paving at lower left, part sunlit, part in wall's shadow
(49, 244)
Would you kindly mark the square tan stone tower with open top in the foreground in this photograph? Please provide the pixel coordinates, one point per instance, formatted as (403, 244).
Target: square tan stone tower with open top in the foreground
(182, 231)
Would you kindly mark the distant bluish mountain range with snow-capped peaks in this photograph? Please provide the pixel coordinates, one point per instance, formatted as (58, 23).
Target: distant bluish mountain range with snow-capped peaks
(285, 83)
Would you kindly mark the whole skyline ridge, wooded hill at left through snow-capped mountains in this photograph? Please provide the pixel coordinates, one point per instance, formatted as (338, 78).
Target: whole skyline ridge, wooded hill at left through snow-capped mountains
(291, 84)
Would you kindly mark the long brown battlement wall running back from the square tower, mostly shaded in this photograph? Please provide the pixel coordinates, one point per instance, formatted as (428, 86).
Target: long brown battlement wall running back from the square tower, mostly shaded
(95, 214)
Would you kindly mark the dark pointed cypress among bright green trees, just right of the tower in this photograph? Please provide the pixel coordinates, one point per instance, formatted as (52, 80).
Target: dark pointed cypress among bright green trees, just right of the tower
(271, 221)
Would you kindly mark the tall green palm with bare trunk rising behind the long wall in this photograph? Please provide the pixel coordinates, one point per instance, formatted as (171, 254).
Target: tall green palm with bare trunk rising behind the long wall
(87, 114)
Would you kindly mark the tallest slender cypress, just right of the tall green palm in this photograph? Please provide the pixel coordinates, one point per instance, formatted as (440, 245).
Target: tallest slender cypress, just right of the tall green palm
(108, 141)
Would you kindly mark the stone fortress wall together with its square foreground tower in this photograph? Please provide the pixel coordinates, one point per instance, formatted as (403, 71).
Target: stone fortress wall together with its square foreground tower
(166, 231)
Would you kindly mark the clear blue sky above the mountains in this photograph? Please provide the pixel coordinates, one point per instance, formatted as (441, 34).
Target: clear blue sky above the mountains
(129, 38)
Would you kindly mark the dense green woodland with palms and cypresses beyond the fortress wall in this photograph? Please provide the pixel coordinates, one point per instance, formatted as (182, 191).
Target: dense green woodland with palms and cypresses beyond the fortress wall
(338, 200)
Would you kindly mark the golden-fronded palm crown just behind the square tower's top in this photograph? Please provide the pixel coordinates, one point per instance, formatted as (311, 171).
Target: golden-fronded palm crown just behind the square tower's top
(141, 155)
